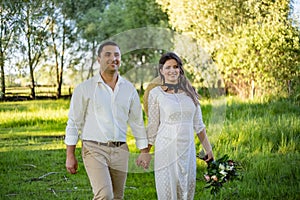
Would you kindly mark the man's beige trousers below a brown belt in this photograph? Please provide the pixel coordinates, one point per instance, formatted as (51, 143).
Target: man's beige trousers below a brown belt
(107, 169)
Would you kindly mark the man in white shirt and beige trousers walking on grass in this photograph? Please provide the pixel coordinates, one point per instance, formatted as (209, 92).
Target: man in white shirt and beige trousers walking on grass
(100, 109)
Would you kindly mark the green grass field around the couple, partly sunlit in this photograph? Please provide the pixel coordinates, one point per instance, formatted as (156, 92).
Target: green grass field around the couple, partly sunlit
(262, 135)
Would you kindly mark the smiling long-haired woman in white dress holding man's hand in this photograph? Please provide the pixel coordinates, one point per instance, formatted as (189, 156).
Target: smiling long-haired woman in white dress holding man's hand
(174, 114)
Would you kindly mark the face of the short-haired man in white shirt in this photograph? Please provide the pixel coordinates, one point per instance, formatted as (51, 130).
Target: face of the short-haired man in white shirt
(109, 59)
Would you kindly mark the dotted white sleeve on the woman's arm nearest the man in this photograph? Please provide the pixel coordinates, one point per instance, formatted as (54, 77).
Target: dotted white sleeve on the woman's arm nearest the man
(153, 117)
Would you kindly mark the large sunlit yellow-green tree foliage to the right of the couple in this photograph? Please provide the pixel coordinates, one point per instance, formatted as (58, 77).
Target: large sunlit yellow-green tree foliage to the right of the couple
(253, 43)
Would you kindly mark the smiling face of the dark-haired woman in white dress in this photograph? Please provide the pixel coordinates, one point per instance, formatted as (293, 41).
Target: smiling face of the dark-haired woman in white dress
(170, 71)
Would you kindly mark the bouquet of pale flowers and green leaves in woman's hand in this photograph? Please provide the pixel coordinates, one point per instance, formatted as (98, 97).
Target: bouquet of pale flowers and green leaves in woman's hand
(219, 172)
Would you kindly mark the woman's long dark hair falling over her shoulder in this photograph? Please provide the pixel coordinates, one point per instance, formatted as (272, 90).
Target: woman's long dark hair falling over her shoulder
(183, 82)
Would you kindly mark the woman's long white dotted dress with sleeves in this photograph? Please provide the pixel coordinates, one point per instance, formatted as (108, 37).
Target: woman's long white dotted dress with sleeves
(172, 121)
